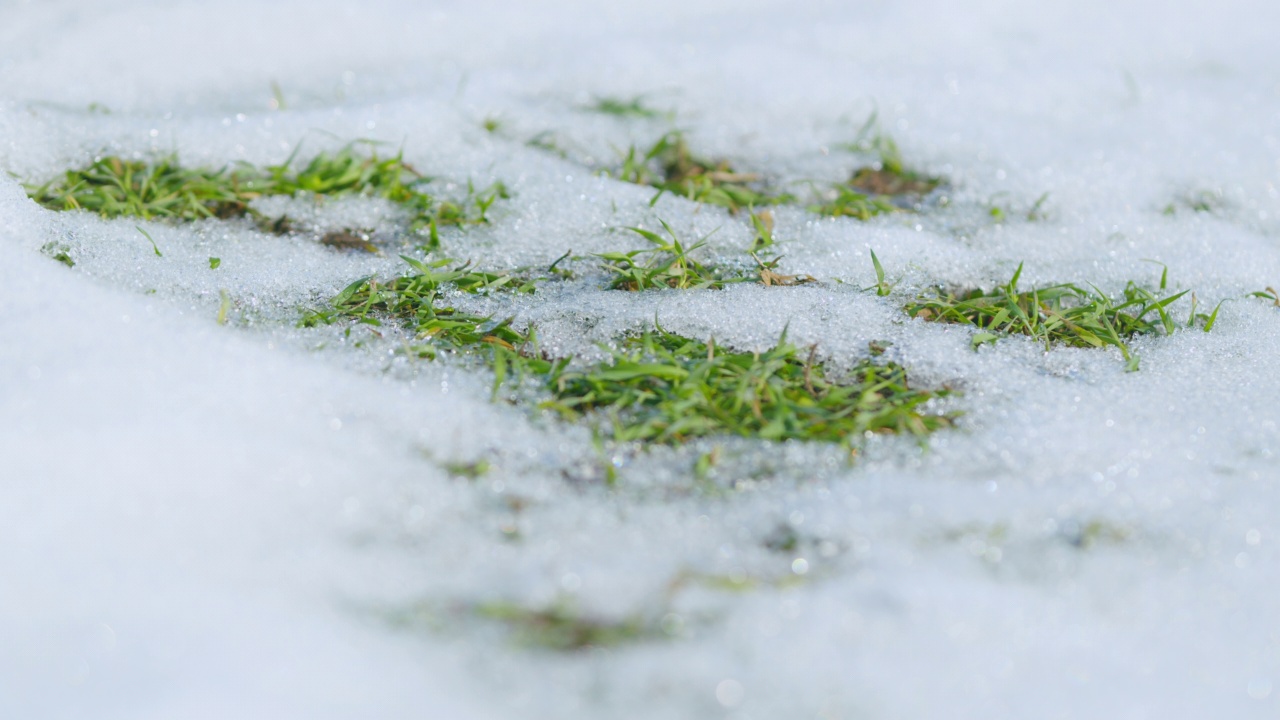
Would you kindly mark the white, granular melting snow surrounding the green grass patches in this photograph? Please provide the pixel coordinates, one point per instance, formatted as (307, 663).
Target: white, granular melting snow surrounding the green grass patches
(209, 512)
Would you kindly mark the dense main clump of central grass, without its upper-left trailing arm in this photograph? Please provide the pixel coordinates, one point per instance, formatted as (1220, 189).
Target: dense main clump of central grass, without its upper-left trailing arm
(666, 389)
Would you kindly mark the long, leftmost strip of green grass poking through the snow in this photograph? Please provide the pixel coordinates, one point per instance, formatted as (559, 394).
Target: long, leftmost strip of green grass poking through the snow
(164, 190)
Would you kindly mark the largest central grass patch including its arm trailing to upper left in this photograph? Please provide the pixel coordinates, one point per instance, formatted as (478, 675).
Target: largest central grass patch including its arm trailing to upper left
(660, 388)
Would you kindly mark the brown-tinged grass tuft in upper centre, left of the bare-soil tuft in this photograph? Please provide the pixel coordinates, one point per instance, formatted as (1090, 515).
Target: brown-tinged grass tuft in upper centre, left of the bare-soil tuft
(671, 167)
